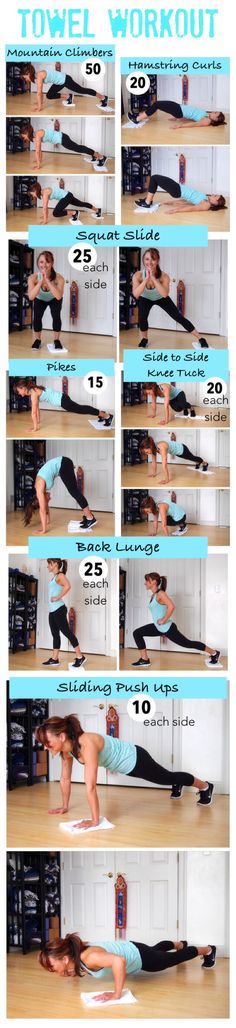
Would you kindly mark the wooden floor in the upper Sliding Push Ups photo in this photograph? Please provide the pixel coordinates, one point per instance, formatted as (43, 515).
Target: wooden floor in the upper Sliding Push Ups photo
(144, 818)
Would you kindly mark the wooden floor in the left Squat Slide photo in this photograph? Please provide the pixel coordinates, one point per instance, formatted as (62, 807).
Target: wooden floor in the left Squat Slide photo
(78, 345)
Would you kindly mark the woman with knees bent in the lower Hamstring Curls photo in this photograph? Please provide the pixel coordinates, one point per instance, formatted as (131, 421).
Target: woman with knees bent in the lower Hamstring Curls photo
(189, 199)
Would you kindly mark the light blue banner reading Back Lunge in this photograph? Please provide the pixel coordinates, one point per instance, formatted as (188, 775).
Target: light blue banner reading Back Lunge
(117, 547)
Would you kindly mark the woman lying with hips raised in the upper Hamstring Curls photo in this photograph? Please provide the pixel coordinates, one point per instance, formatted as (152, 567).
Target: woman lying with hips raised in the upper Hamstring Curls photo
(191, 116)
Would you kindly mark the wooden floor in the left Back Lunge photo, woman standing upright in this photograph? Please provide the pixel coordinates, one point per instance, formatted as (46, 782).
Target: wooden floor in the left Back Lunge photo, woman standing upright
(32, 660)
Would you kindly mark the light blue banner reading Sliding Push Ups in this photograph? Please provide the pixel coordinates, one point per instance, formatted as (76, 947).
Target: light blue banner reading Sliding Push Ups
(117, 688)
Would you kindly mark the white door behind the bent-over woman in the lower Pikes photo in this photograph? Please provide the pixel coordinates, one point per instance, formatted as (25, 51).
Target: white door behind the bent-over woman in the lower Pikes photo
(97, 459)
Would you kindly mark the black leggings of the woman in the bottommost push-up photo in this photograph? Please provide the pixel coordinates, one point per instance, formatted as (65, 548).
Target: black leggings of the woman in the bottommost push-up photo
(159, 958)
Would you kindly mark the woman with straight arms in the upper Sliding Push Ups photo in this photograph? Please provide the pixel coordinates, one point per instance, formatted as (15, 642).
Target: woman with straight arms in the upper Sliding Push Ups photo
(66, 737)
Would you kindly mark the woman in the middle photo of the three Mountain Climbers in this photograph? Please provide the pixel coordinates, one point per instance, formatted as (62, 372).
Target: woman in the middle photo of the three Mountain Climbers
(54, 135)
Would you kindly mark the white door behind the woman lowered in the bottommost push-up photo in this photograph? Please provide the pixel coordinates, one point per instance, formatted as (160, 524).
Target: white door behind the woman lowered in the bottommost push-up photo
(89, 895)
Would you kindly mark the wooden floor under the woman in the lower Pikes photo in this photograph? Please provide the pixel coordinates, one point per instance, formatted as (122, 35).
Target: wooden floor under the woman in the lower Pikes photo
(18, 535)
